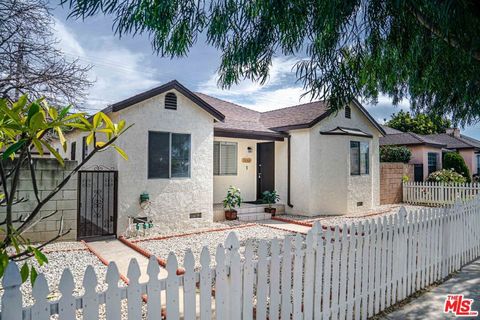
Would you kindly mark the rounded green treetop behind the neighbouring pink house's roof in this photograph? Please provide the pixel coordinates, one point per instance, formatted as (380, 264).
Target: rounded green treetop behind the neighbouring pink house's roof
(420, 123)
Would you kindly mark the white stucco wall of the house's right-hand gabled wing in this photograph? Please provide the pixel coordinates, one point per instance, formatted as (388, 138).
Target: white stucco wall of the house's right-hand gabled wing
(321, 183)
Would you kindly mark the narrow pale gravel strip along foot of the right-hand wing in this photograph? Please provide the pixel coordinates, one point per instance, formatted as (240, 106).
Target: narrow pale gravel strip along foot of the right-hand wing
(381, 211)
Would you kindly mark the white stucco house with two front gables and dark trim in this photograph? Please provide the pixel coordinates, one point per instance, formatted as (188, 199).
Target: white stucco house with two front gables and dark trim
(185, 149)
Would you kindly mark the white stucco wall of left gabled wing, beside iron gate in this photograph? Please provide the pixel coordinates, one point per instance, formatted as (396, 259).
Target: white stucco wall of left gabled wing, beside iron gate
(172, 200)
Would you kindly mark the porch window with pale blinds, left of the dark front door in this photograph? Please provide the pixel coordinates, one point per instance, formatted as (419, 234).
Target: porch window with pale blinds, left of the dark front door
(224, 158)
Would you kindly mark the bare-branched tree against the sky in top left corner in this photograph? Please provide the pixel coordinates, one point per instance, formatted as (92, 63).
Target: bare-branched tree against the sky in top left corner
(30, 61)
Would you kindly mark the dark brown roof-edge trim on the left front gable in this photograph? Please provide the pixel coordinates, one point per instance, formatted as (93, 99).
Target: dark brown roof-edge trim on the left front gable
(174, 84)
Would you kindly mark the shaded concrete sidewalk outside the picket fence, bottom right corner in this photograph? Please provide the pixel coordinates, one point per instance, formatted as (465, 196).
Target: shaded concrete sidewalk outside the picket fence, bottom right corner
(431, 304)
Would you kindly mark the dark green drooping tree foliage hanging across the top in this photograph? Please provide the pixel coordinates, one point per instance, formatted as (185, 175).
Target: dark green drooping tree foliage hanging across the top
(423, 50)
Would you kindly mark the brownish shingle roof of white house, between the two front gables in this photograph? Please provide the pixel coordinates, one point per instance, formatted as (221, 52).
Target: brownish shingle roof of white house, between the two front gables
(305, 115)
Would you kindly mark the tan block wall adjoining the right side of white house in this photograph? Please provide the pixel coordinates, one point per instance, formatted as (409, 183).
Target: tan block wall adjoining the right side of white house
(391, 175)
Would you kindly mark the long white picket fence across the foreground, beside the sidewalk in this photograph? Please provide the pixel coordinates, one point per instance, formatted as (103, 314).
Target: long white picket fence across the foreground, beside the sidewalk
(346, 274)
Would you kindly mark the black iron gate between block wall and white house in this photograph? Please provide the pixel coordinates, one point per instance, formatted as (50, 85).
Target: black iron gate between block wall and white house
(97, 204)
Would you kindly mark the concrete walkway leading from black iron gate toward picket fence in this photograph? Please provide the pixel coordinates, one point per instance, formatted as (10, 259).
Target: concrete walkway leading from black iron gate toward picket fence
(114, 250)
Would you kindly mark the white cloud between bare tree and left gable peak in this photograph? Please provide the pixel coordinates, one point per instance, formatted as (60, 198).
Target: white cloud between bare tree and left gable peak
(118, 72)
